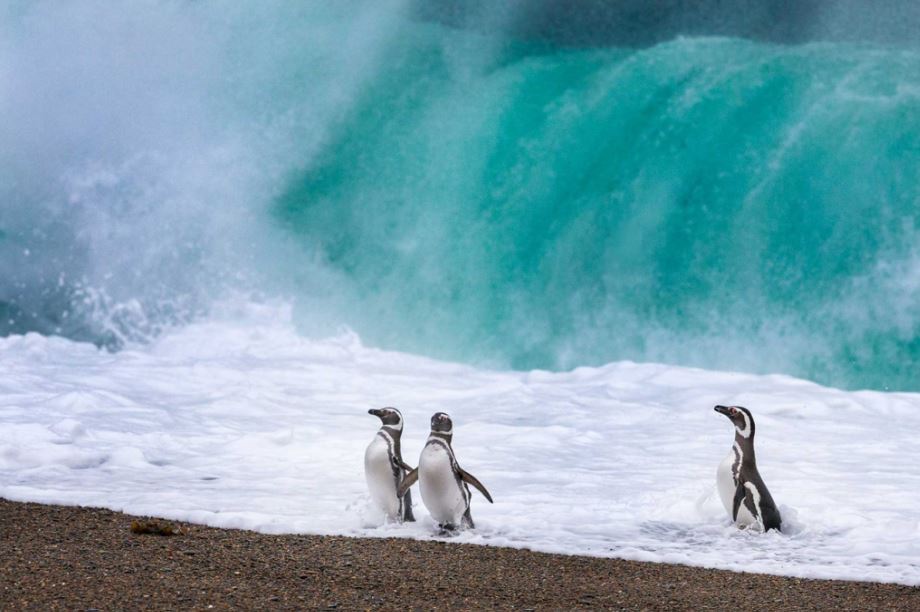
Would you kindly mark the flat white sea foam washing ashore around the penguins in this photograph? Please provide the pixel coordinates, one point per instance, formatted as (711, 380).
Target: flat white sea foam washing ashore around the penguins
(248, 425)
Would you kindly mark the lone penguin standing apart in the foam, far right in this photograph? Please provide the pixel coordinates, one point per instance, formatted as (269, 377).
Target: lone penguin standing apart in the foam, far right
(743, 492)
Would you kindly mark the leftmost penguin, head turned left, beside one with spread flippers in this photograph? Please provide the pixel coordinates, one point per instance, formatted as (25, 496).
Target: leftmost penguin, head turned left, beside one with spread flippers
(384, 468)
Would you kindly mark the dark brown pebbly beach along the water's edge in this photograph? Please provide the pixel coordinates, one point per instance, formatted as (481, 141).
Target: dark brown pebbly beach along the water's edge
(54, 557)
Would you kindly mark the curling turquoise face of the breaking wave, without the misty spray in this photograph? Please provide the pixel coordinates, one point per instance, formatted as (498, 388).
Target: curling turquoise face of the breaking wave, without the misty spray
(713, 202)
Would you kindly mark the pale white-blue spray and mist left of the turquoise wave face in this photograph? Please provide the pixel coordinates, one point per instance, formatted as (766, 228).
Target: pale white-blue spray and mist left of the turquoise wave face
(142, 147)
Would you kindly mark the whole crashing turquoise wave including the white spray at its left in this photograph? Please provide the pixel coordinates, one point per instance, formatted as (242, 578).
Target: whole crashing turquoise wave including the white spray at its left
(461, 192)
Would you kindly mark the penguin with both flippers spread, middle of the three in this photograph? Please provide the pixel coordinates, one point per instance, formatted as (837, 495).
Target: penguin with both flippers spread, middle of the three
(443, 483)
